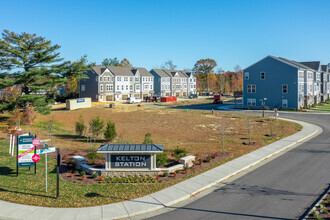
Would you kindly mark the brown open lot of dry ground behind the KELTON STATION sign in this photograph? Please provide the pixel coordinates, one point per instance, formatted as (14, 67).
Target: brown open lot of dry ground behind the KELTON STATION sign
(196, 131)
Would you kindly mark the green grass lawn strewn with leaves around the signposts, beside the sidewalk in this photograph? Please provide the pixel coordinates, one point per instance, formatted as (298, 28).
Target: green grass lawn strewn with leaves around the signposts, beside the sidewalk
(28, 188)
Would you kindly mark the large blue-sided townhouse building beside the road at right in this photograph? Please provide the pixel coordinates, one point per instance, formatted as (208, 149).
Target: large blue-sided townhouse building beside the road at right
(279, 82)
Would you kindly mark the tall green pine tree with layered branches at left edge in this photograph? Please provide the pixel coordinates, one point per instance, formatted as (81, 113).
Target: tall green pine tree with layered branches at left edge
(32, 62)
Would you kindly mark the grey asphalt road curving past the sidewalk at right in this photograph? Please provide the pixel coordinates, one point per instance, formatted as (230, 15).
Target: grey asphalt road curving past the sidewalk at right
(281, 189)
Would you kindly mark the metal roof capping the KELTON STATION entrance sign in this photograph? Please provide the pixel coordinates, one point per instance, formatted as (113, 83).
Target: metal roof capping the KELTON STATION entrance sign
(122, 148)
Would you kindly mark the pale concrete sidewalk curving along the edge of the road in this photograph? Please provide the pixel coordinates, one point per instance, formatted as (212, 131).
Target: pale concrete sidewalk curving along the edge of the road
(165, 197)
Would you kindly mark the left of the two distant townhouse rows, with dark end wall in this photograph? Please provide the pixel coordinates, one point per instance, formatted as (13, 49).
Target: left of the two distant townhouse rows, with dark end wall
(111, 83)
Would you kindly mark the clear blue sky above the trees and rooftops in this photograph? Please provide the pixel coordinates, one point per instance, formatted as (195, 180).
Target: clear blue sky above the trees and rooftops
(148, 33)
